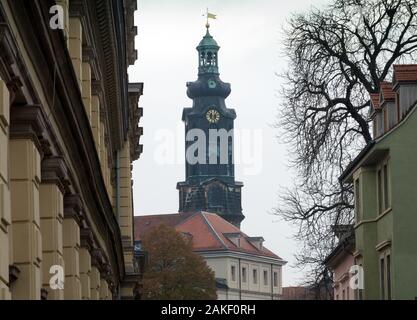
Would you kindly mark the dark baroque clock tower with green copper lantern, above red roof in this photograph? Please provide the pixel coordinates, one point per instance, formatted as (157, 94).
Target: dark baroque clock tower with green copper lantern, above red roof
(210, 176)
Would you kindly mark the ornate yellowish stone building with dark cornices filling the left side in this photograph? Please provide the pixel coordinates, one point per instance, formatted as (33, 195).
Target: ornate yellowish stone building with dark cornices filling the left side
(68, 136)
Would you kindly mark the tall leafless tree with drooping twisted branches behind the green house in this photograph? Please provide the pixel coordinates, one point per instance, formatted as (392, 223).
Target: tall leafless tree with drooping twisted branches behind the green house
(336, 57)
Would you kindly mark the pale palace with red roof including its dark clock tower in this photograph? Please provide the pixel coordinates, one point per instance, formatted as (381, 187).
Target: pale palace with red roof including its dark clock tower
(210, 210)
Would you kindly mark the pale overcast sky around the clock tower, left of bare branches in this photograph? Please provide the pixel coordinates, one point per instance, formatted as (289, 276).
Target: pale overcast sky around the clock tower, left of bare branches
(250, 36)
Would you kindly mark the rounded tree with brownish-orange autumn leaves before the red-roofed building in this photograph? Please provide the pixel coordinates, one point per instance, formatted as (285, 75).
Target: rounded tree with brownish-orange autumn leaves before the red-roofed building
(174, 271)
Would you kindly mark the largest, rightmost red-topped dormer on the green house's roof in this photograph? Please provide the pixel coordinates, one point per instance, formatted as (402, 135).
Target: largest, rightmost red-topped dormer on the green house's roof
(405, 87)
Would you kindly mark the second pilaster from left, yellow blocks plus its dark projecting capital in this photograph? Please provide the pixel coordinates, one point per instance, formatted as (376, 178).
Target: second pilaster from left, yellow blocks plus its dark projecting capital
(27, 133)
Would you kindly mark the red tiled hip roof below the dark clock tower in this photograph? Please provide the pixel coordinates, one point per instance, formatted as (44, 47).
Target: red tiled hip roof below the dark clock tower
(207, 230)
